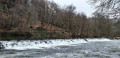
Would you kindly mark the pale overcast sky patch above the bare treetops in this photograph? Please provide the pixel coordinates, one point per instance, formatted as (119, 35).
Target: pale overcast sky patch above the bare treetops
(82, 6)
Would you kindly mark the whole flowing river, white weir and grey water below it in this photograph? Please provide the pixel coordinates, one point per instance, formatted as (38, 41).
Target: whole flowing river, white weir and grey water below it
(61, 48)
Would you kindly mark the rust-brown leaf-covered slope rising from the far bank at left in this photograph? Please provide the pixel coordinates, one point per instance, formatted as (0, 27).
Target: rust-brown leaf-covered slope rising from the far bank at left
(38, 30)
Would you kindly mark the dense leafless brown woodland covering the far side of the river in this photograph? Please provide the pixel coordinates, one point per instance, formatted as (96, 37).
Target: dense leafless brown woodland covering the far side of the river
(46, 18)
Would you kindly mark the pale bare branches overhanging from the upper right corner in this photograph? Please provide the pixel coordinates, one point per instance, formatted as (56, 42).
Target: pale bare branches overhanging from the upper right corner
(108, 7)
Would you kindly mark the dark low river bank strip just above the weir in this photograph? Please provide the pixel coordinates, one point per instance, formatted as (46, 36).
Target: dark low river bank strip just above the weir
(41, 35)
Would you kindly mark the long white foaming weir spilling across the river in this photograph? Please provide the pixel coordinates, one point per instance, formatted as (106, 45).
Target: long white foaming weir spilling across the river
(41, 44)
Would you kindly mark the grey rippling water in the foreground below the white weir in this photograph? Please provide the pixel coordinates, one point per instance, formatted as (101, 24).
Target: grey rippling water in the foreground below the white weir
(86, 50)
